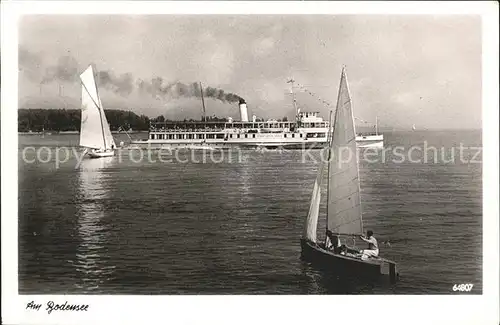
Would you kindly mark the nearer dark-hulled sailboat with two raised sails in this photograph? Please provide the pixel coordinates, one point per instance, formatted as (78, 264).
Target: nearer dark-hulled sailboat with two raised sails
(344, 212)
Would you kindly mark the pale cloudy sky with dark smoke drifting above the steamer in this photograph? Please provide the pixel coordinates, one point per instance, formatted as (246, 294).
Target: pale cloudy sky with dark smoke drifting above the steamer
(403, 69)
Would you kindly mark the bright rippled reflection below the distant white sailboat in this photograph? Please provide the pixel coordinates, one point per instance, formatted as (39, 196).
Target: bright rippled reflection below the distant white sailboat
(91, 254)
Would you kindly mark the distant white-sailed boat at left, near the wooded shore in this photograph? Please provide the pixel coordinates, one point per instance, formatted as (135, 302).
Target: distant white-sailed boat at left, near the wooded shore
(95, 134)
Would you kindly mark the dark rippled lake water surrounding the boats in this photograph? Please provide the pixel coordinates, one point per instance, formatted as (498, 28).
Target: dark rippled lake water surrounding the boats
(118, 226)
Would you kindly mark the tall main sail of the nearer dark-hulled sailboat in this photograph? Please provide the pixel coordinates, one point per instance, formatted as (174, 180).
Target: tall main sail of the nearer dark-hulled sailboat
(344, 203)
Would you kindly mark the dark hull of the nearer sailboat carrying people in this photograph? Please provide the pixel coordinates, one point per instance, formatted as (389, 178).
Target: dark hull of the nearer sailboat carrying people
(341, 265)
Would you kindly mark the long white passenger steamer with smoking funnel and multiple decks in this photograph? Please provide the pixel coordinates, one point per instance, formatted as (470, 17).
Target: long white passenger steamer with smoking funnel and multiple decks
(309, 130)
